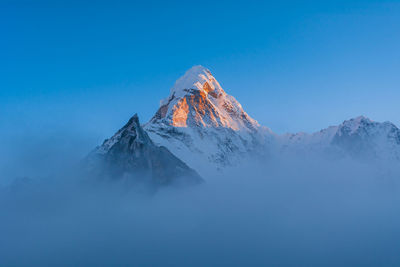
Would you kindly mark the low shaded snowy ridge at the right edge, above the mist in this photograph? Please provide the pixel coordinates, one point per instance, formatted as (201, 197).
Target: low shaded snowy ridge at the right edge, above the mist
(359, 138)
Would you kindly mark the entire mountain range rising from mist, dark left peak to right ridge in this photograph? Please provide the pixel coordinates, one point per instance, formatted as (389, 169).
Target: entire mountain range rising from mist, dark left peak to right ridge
(201, 126)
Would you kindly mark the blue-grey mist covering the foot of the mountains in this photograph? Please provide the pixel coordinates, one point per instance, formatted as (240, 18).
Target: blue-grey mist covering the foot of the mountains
(292, 212)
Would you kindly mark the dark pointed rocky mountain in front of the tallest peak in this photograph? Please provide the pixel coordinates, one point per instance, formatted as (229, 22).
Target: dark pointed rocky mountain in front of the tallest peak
(131, 155)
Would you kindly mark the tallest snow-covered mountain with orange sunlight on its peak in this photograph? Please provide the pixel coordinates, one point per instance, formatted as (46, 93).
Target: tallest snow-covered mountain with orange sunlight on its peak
(204, 125)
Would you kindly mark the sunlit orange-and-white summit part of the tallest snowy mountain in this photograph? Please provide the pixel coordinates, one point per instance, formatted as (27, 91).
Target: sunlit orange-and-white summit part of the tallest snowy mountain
(198, 100)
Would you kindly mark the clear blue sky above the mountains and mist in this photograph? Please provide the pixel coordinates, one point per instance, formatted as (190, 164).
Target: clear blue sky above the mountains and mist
(294, 65)
